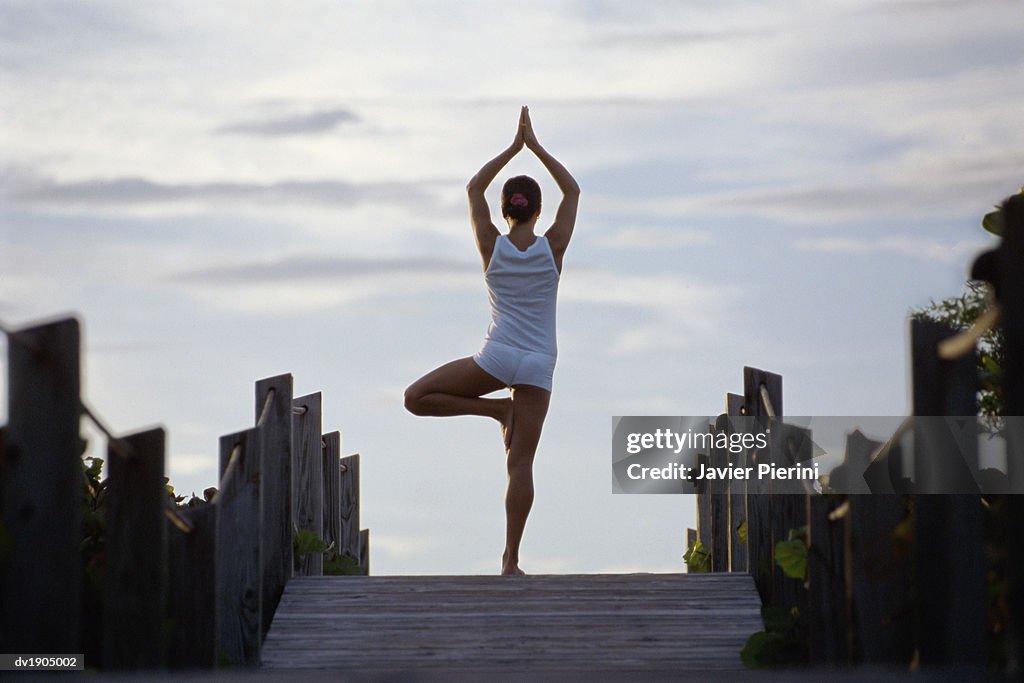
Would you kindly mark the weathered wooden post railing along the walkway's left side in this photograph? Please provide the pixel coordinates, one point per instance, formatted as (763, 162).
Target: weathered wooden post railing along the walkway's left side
(183, 588)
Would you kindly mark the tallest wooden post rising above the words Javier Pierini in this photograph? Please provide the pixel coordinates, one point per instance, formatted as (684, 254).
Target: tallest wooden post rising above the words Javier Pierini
(760, 535)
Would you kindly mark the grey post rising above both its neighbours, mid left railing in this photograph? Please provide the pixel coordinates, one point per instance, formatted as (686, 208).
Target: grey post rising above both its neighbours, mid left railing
(274, 417)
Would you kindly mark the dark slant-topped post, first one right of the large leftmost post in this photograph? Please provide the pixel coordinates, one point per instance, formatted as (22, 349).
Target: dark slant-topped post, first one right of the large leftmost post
(136, 554)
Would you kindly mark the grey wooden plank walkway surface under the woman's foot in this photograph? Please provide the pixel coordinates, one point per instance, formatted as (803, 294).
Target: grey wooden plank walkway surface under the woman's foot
(575, 623)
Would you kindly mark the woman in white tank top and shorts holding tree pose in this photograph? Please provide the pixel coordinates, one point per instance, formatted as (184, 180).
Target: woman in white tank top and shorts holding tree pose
(522, 271)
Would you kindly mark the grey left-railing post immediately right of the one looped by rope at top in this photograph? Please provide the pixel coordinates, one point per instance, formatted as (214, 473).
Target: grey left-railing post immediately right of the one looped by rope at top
(308, 483)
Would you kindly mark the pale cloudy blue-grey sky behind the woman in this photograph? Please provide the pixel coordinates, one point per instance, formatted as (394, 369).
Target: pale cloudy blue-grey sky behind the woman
(225, 192)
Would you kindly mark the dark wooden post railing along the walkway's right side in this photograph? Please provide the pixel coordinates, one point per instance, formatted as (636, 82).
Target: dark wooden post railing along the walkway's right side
(897, 576)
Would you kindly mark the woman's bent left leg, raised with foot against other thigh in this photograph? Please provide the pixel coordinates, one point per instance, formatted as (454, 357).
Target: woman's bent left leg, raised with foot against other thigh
(455, 389)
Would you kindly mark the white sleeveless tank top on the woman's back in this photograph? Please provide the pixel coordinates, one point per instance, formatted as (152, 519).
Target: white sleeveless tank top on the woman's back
(523, 289)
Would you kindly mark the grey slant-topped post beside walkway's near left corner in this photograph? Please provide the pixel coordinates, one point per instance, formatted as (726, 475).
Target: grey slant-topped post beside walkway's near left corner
(238, 618)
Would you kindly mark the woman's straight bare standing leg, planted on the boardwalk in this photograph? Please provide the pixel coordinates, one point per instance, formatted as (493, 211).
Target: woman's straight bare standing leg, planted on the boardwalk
(530, 407)
